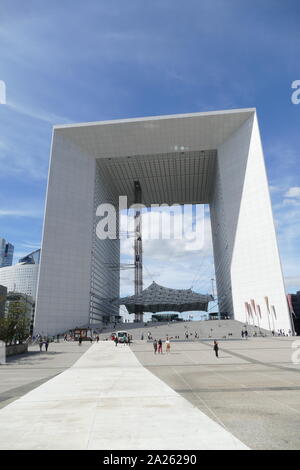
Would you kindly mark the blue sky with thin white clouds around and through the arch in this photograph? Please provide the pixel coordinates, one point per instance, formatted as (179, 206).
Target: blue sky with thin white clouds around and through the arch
(74, 61)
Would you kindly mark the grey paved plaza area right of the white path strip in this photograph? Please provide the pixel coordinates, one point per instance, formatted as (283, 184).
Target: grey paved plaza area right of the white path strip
(252, 389)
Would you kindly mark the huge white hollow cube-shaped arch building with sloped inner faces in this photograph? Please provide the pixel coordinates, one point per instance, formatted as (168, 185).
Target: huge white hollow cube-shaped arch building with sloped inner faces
(214, 158)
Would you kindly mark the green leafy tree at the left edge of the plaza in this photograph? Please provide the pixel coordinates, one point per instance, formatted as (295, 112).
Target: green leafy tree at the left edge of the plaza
(15, 326)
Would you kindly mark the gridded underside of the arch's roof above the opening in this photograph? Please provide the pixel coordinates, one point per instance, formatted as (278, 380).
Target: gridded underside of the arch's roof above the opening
(183, 177)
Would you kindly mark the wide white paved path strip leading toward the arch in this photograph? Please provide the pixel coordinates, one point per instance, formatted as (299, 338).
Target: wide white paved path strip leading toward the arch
(108, 400)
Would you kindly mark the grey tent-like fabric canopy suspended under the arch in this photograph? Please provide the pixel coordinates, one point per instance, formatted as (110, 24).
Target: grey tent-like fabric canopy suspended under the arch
(156, 298)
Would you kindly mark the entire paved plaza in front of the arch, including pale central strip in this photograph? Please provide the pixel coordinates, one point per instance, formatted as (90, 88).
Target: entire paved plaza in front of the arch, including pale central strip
(108, 397)
